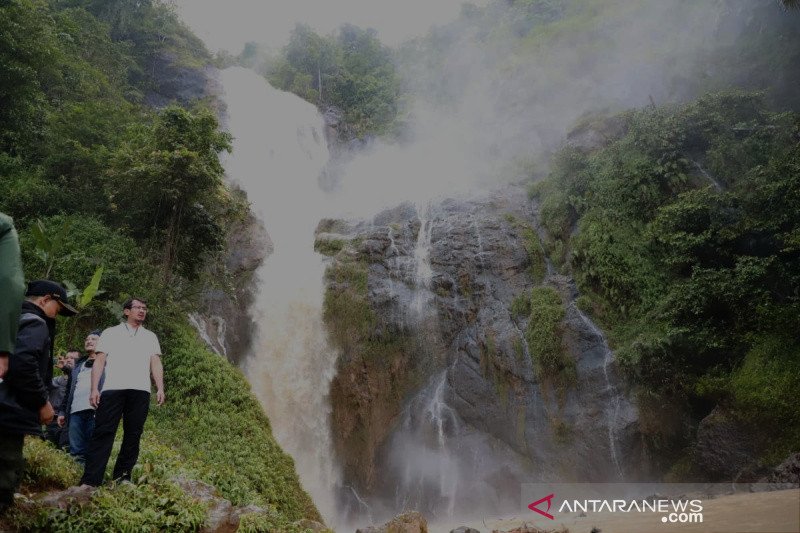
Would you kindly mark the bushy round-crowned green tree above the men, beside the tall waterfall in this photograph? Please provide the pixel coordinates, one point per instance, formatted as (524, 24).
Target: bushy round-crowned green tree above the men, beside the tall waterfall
(168, 183)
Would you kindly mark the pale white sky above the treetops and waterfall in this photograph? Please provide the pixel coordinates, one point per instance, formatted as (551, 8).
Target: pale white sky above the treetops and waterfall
(228, 24)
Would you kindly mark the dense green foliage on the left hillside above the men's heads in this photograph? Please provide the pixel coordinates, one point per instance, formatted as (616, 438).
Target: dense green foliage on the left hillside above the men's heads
(136, 190)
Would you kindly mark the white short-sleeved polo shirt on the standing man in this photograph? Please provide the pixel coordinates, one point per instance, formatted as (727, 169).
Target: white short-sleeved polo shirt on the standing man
(128, 351)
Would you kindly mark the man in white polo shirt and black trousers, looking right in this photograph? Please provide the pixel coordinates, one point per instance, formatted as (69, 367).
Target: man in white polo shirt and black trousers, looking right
(129, 353)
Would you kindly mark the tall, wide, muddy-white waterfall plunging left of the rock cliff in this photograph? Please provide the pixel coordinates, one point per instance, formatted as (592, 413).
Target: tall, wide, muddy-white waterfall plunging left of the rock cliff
(279, 155)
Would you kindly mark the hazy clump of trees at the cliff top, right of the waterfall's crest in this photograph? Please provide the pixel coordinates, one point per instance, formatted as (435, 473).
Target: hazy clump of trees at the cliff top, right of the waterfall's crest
(351, 70)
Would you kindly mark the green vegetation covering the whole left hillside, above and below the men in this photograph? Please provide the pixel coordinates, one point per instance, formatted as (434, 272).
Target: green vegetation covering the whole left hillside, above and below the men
(98, 182)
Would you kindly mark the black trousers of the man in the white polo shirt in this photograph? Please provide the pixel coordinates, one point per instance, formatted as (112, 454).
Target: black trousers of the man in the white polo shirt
(130, 406)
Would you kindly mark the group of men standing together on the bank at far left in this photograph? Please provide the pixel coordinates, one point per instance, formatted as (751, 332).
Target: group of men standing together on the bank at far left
(111, 383)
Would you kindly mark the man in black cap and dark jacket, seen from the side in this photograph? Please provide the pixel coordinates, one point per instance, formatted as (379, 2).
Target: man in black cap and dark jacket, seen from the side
(24, 404)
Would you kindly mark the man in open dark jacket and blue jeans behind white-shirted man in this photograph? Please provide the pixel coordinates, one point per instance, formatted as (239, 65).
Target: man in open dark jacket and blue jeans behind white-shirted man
(76, 413)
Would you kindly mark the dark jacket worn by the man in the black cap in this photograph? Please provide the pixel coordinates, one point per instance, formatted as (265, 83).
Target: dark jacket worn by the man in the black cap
(30, 370)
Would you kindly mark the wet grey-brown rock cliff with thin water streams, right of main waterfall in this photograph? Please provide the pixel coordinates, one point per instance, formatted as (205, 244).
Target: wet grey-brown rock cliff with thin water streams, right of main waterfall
(424, 304)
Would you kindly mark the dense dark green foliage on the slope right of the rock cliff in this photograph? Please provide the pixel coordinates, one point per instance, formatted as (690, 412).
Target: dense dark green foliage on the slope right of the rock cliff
(688, 250)
